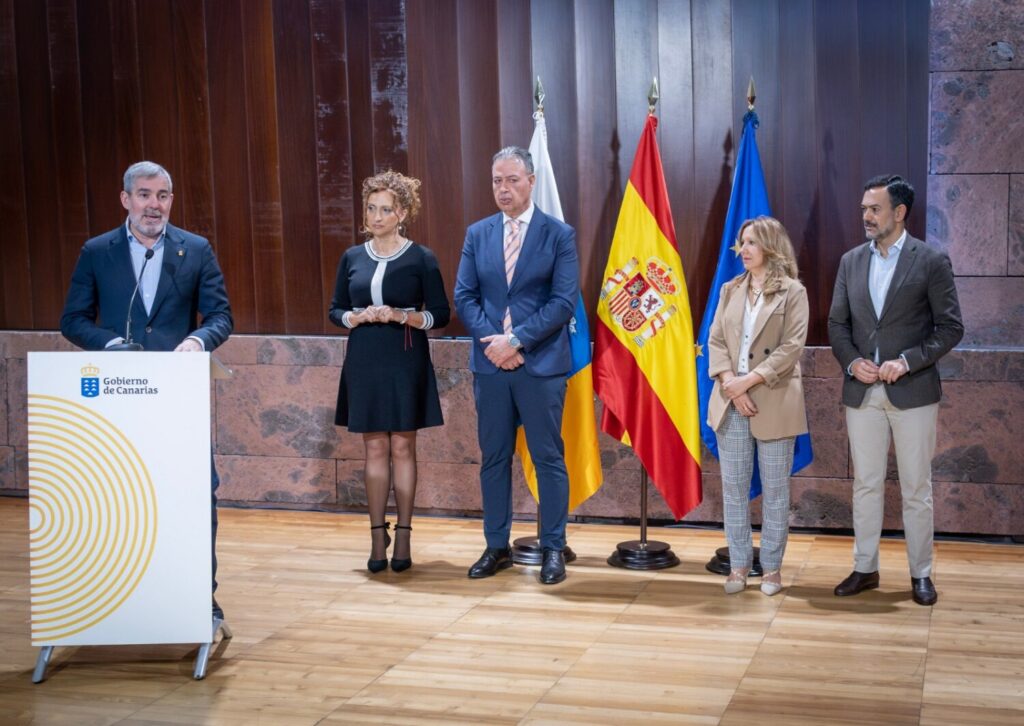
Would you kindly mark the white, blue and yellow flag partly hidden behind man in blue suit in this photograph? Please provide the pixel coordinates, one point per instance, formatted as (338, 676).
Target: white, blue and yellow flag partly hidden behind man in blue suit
(583, 458)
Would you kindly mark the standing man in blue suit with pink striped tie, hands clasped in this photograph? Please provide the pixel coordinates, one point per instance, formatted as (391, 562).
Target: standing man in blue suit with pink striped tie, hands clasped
(516, 292)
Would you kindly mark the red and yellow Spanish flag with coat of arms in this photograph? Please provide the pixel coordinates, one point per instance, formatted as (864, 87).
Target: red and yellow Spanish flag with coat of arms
(645, 361)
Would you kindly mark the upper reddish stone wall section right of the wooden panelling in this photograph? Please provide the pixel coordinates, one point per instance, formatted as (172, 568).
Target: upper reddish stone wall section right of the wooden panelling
(976, 168)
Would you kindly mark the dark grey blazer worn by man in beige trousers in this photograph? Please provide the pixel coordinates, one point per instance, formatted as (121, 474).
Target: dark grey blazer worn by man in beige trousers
(921, 320)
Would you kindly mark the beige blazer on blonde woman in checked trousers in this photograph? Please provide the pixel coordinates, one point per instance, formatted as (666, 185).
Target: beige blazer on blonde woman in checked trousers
(780, 334)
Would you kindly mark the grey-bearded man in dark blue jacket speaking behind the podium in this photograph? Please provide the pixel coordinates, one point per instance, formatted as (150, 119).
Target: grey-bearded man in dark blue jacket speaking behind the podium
(164, 276)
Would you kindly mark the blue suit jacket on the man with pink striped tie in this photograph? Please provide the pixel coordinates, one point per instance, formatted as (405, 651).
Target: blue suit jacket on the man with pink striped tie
(541, 298)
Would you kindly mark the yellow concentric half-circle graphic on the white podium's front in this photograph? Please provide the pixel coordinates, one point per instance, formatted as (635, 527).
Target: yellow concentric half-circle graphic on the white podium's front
(93, 518)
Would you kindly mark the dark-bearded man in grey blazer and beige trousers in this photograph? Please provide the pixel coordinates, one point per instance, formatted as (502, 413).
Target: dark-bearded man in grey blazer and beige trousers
(894, 315)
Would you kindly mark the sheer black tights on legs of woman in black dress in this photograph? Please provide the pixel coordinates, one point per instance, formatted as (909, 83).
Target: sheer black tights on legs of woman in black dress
(391, 463)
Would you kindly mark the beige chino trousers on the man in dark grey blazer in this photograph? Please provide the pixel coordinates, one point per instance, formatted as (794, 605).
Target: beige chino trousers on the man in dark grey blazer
(914, 434)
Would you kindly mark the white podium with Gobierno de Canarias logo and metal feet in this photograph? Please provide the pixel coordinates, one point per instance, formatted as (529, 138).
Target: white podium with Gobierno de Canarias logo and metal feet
(119, 501)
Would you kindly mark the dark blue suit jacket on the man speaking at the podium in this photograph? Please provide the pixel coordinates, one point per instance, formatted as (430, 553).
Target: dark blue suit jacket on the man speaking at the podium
(191, 286)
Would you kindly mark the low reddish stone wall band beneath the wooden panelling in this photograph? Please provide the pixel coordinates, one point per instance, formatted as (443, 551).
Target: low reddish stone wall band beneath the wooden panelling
(277, 446)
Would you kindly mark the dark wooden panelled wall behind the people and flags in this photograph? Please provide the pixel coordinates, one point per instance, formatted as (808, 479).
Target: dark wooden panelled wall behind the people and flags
(271, 113)
